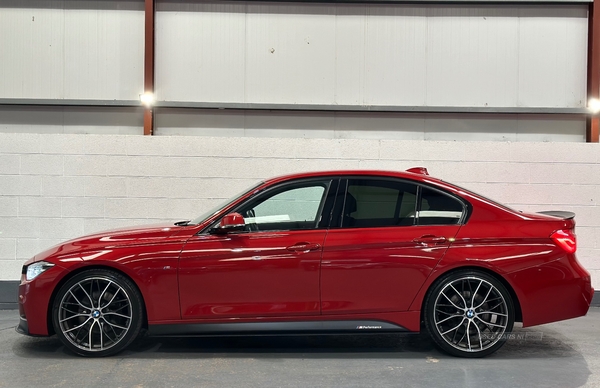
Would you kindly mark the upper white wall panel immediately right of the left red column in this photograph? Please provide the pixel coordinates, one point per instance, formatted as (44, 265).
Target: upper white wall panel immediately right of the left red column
(201, 51)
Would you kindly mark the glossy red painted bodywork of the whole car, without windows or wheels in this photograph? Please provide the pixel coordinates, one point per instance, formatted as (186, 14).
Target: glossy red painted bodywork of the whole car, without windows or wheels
(378, 274)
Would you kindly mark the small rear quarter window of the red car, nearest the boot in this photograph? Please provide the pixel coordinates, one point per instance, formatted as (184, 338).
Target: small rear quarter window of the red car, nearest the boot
(437, 208)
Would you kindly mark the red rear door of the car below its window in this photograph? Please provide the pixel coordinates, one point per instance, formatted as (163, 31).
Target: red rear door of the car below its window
(379, 269)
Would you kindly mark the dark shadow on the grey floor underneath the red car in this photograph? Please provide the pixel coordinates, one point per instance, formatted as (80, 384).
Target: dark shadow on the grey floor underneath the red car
(526, 343)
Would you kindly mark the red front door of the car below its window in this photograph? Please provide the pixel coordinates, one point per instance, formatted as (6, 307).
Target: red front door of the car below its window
(255, 274)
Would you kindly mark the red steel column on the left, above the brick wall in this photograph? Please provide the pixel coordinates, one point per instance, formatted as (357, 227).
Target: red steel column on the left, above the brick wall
(149, 64)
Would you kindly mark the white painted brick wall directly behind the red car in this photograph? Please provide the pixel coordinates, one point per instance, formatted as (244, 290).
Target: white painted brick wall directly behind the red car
(58, 186)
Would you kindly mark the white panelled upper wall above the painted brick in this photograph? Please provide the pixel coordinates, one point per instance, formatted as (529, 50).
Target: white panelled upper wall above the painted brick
(364, 57)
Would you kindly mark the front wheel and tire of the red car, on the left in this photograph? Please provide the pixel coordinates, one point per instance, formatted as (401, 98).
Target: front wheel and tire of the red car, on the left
(97, 313)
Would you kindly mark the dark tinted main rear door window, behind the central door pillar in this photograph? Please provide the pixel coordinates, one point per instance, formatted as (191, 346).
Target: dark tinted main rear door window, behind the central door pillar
(377, 203)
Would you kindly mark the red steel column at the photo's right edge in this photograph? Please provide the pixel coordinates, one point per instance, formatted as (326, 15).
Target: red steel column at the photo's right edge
(593, 122)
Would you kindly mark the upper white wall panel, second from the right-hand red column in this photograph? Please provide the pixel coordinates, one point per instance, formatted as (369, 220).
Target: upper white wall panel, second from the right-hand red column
(473, 57)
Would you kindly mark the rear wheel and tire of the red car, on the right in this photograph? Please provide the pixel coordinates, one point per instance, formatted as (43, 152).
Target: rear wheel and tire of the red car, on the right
(469, 313)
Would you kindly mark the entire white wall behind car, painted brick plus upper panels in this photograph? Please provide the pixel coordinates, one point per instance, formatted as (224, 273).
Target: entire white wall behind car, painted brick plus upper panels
(69, 170)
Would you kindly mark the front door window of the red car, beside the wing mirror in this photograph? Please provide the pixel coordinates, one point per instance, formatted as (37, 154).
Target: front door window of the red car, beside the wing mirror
(293, 207)
